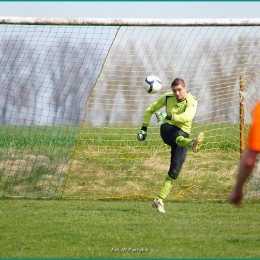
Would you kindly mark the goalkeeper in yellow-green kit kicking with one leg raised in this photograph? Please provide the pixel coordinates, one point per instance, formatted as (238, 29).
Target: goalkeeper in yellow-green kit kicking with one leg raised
(180, 109)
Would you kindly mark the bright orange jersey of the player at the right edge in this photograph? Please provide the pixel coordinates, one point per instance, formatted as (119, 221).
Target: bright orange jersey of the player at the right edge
(254, 133)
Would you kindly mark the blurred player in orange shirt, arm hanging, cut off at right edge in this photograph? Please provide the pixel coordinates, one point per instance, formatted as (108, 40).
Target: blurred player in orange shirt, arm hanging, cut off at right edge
(249, 158)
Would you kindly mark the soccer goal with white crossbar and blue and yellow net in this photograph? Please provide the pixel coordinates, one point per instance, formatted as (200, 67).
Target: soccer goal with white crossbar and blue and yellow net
(72, 104)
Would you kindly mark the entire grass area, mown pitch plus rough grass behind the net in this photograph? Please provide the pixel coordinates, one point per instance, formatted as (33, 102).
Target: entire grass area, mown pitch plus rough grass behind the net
(198, 222)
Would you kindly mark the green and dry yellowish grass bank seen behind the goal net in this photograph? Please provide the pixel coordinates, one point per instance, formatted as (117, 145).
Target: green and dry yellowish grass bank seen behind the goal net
(36, 162)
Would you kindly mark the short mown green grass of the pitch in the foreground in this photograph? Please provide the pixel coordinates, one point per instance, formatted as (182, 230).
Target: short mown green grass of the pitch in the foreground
(103, 229)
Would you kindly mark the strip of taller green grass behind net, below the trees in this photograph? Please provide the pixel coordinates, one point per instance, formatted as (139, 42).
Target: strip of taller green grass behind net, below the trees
(217, 136)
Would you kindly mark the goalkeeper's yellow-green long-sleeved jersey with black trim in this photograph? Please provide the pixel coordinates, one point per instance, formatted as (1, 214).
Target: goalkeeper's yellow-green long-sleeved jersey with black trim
(182, 111)
